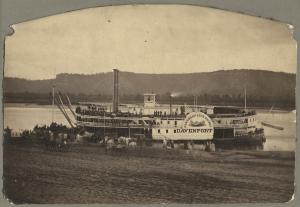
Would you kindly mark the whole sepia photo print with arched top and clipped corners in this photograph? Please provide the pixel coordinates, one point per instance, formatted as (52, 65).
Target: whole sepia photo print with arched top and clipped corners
(149, 104)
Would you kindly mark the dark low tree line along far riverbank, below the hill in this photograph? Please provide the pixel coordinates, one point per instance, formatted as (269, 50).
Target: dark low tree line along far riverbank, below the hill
(287, 102)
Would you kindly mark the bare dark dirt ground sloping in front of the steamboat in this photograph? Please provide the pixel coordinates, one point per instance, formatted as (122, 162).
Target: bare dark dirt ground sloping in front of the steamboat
(87, 174)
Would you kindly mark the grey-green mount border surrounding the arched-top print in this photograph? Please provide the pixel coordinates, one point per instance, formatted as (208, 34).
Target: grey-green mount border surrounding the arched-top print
(287, 11)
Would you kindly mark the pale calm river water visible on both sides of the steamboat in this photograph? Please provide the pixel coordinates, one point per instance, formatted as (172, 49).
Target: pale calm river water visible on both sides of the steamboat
(22, 116)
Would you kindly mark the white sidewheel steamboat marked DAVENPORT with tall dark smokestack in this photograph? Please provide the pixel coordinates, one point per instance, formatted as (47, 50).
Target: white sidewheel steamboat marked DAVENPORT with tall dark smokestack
(225, 127)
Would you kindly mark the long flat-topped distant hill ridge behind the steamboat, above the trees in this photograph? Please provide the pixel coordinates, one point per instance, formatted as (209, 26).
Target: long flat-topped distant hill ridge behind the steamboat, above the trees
(230, 83)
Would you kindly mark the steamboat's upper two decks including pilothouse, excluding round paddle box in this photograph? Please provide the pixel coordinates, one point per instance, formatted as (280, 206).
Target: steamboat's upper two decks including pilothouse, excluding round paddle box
(153, 115)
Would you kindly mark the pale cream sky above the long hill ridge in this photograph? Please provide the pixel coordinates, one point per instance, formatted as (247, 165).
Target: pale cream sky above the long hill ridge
(148, 39)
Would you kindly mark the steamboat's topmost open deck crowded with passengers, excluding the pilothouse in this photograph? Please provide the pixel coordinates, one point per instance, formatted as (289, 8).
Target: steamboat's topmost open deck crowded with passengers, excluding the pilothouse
(163, 111)
